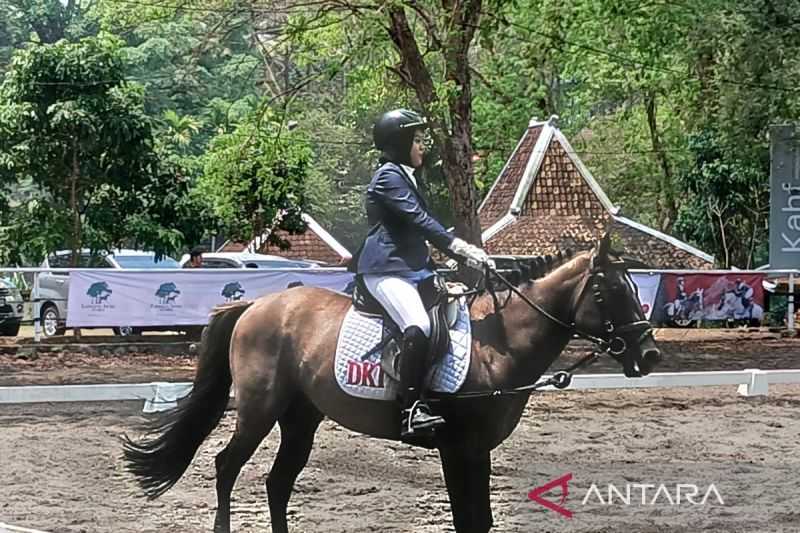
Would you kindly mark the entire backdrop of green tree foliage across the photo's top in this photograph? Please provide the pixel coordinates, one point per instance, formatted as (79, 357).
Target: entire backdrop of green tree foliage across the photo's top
(668, 103)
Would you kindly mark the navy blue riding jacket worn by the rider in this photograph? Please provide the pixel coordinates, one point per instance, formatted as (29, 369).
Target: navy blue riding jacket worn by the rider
(400, 224)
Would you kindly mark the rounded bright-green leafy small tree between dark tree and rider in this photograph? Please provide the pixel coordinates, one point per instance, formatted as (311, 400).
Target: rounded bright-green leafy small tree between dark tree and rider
(253, 178)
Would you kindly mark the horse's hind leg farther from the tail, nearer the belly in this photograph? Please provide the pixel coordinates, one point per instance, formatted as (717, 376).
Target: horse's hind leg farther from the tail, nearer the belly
(298, 426)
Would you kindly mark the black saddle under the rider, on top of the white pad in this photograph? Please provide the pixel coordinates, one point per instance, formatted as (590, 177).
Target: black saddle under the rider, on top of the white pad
(442, 315)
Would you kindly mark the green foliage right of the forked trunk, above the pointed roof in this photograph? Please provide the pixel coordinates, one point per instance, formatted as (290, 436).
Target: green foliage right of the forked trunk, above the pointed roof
(636, 86)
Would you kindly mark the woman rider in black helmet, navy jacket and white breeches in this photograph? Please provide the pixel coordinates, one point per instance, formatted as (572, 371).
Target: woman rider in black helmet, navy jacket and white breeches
(394, 257)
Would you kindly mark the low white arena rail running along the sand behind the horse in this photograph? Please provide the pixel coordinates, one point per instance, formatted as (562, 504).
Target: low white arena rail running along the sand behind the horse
(164, 395)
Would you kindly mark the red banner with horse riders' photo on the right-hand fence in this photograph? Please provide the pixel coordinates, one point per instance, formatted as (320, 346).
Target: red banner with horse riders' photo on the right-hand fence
(688, 299)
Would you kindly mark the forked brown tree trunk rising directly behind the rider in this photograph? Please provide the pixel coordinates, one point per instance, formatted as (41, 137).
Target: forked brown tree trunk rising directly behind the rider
(453, 130)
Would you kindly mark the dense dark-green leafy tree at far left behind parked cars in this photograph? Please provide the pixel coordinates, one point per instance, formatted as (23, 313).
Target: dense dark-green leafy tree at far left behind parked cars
(72, 125)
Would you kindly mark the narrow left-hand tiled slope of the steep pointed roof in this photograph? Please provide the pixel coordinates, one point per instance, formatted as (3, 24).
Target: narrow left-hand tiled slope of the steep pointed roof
(498, 201)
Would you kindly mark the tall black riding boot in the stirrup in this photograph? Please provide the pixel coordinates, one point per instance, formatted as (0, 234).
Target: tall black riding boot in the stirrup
(417, 418)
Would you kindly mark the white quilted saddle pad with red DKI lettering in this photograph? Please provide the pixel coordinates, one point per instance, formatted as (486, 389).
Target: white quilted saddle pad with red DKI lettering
(364, 378)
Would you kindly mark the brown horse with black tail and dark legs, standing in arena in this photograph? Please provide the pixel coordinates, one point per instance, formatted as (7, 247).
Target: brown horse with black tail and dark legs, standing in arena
(277, 354)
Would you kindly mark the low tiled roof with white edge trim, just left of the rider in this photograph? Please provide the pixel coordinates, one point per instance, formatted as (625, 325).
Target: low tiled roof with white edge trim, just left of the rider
(314, 244)
